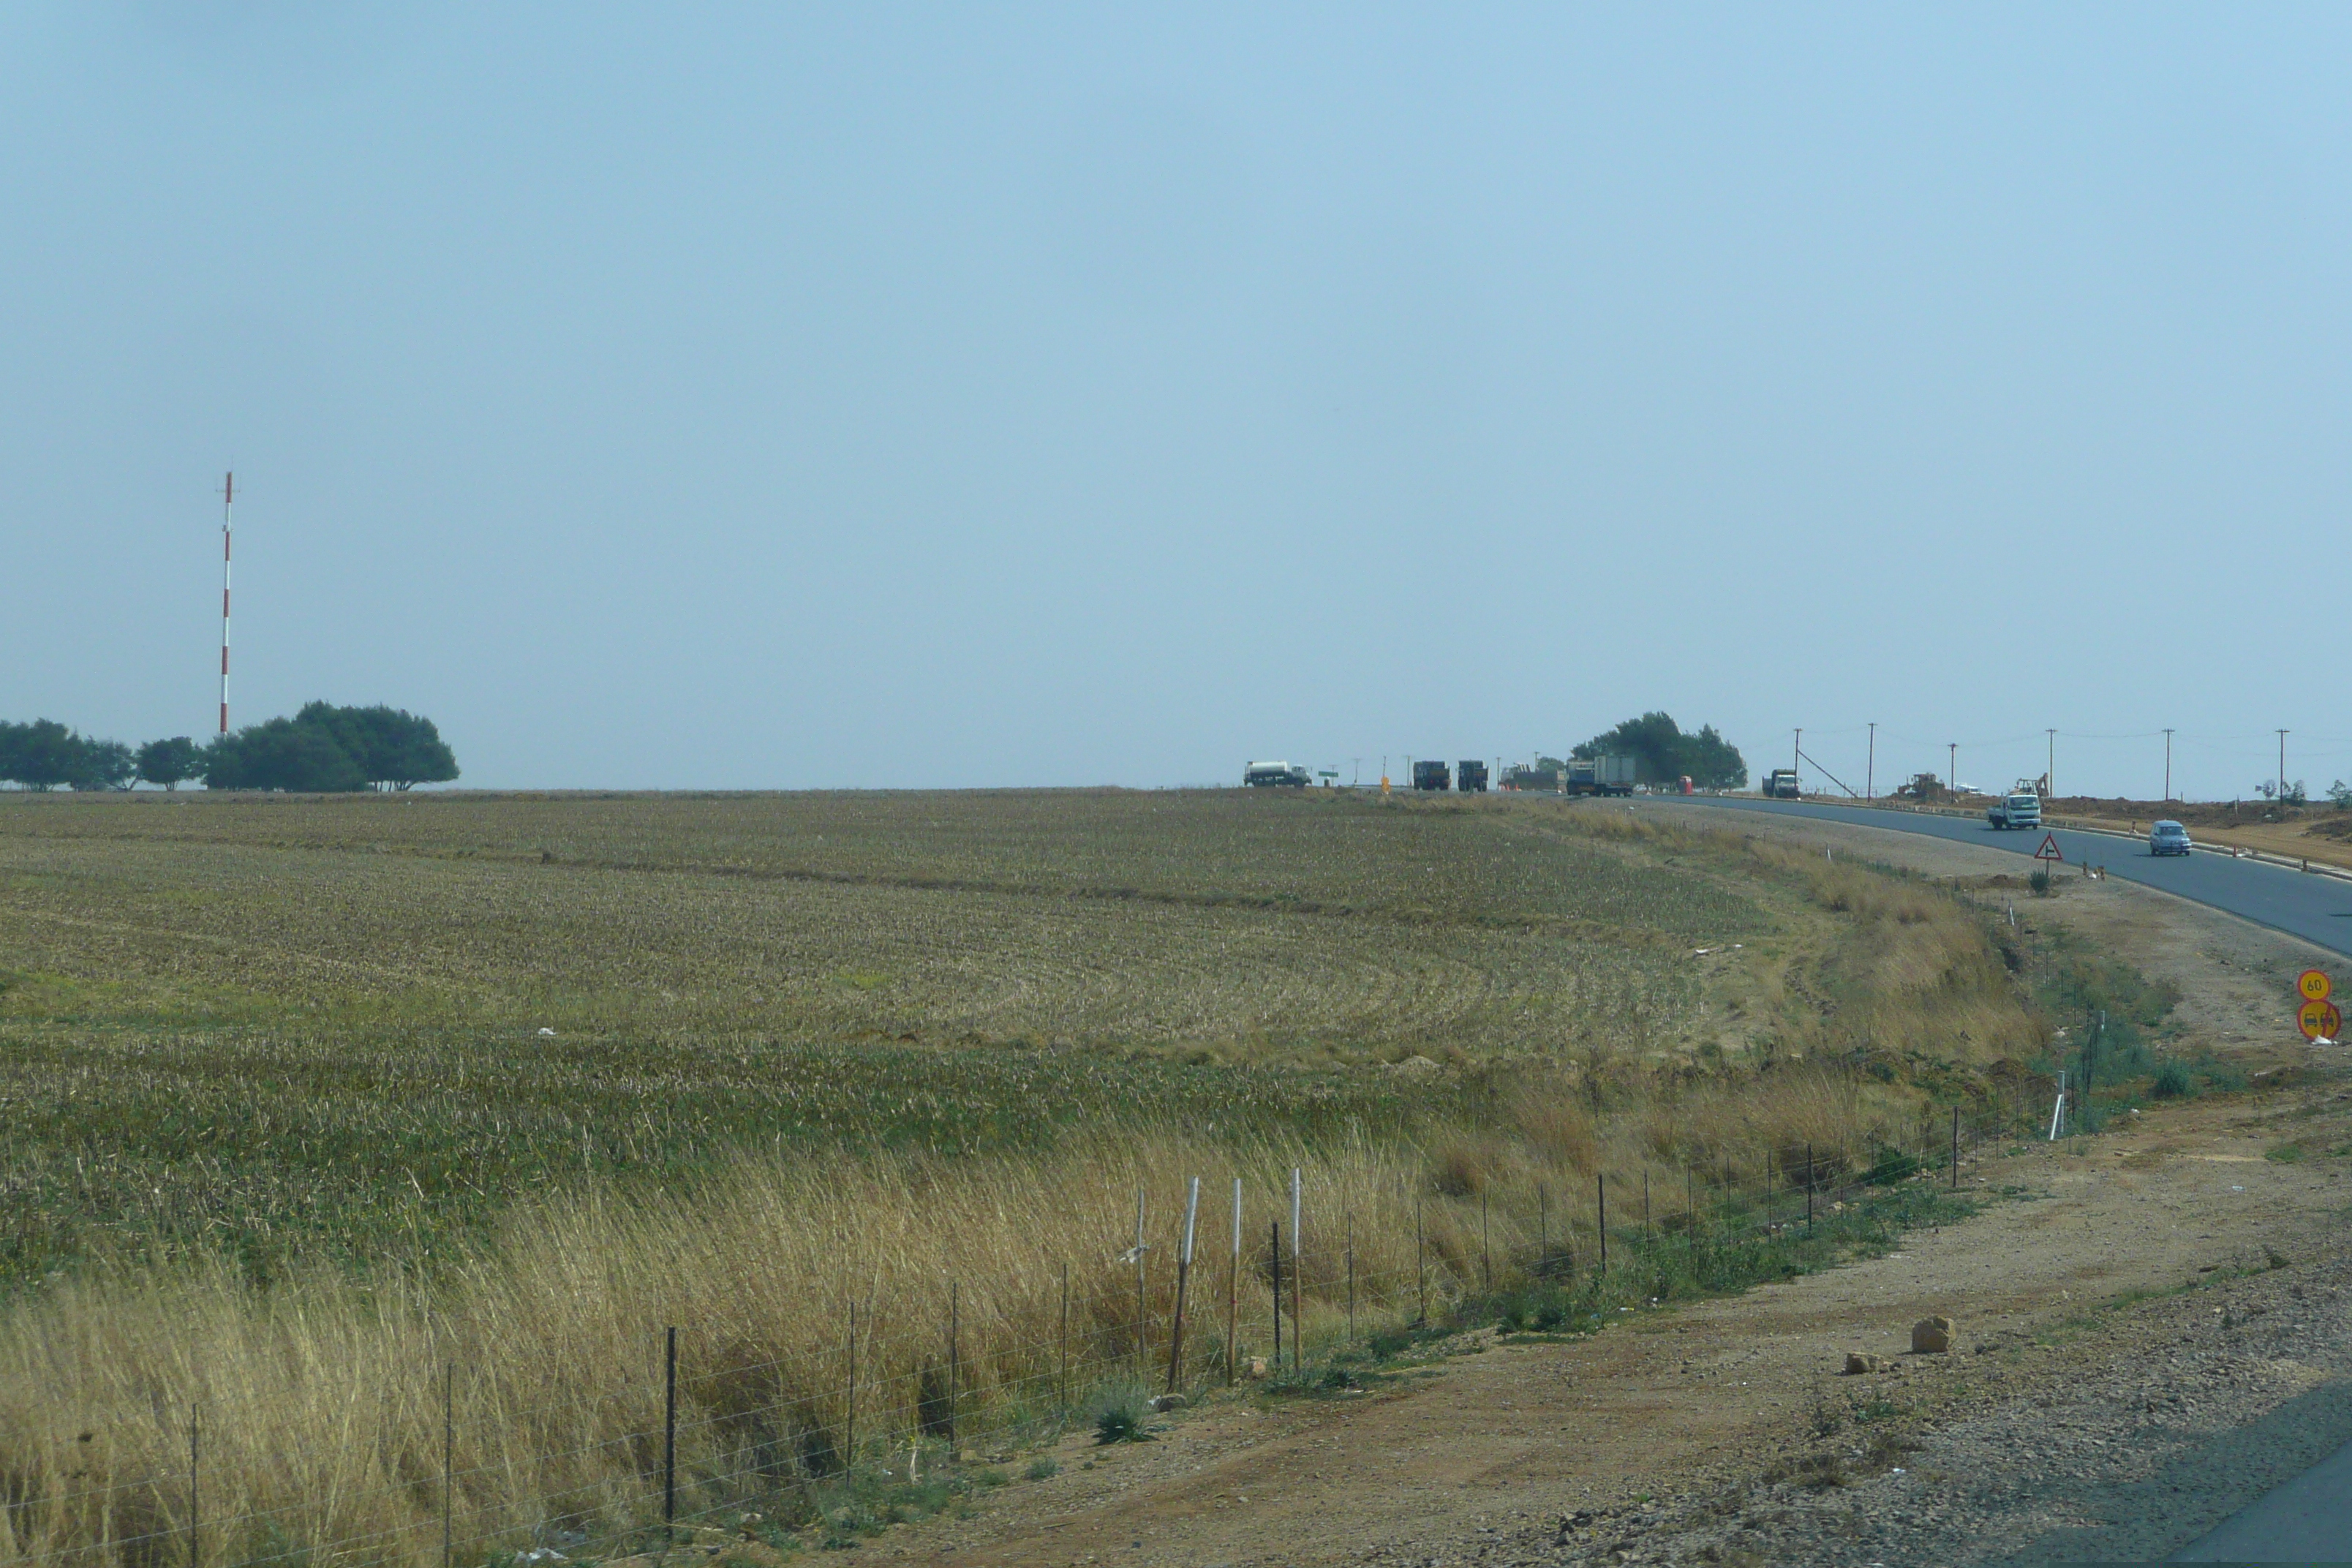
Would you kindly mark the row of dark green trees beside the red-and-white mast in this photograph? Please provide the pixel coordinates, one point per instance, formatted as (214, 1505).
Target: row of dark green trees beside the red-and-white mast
(323, 749)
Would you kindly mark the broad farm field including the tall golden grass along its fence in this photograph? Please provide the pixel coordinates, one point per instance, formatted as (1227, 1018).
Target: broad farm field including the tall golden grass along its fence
(312, 1101)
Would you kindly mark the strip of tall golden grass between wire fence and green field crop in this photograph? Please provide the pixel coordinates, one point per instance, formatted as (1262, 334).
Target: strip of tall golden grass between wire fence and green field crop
(319, 1402)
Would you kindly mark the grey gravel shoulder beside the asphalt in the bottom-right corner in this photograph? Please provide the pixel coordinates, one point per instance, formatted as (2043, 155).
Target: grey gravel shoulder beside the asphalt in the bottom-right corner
(2193, 1407)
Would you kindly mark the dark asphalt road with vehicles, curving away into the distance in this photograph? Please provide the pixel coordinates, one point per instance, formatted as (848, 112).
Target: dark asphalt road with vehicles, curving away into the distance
(2301, 904)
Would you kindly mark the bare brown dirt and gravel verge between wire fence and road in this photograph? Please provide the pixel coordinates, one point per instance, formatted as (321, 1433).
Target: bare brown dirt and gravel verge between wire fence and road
(2073, 1402)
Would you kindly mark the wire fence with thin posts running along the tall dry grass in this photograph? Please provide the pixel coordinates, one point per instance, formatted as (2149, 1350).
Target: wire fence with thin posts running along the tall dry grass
(808, 1433)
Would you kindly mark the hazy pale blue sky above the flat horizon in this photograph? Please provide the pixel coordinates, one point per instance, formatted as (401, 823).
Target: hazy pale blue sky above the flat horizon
(977, 396)
